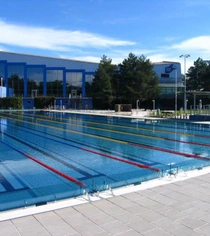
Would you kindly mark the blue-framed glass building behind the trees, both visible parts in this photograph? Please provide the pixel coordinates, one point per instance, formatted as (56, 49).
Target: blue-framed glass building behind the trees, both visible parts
(29, 76)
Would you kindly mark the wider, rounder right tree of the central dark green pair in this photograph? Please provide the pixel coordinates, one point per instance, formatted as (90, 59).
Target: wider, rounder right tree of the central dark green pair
(138, 80)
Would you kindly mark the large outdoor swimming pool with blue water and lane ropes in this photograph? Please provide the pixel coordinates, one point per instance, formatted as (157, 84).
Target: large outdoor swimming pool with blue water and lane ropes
(47, 156)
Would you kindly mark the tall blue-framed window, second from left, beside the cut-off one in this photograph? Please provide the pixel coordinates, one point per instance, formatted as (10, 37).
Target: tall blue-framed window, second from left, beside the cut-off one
(16, 79)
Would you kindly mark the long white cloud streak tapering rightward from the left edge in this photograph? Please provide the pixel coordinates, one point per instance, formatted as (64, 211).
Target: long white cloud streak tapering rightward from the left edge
(52, 39)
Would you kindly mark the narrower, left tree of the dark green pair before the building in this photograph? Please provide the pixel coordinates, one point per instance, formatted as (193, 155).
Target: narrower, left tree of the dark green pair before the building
(102, 83)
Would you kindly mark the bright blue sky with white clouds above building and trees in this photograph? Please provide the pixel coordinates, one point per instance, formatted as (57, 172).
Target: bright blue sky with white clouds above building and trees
(161, 30)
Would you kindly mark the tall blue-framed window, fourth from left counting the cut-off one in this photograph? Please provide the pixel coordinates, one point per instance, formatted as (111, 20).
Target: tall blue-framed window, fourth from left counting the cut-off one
(54, 83)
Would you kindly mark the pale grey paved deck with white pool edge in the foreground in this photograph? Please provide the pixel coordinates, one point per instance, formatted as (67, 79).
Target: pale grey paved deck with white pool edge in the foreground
(174, 205)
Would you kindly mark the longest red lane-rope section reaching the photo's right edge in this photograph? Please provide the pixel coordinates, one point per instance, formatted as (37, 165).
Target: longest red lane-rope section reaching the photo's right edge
(170, 151)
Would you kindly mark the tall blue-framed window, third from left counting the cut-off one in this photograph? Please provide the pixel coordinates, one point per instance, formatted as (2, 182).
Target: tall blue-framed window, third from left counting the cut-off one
(35, 81)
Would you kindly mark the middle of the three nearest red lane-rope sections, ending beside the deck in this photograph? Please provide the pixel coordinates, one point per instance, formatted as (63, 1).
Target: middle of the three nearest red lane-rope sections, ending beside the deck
(122, 160)
